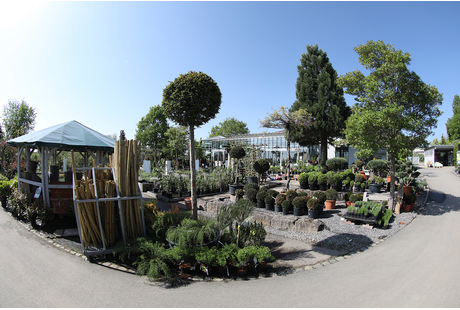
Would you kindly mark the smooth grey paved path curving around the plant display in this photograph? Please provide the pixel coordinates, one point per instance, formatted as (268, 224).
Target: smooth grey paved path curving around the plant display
(417, 267)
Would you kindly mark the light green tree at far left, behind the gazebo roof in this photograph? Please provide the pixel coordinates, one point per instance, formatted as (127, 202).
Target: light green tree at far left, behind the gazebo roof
(18, 119)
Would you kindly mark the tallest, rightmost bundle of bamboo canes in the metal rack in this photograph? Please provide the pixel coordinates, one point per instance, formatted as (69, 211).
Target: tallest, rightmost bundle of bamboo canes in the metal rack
(125, 162)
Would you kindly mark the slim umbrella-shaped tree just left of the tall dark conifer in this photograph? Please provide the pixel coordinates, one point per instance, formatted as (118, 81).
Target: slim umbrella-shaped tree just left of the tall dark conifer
(287, 120)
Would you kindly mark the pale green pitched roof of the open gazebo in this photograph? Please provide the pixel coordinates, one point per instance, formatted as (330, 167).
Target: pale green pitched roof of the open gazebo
(66, 136)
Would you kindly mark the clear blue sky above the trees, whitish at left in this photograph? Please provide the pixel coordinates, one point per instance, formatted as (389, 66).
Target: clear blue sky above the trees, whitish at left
(105, 64)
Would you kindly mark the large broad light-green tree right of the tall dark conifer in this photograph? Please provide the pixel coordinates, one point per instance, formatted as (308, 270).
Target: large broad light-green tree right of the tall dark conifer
(394, 110)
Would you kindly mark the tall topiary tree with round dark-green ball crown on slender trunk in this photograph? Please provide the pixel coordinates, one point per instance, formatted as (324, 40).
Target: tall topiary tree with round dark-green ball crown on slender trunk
(191, 100)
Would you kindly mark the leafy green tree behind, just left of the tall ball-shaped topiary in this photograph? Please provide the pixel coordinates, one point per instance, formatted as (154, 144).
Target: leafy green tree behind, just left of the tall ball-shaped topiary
(151, 130)
